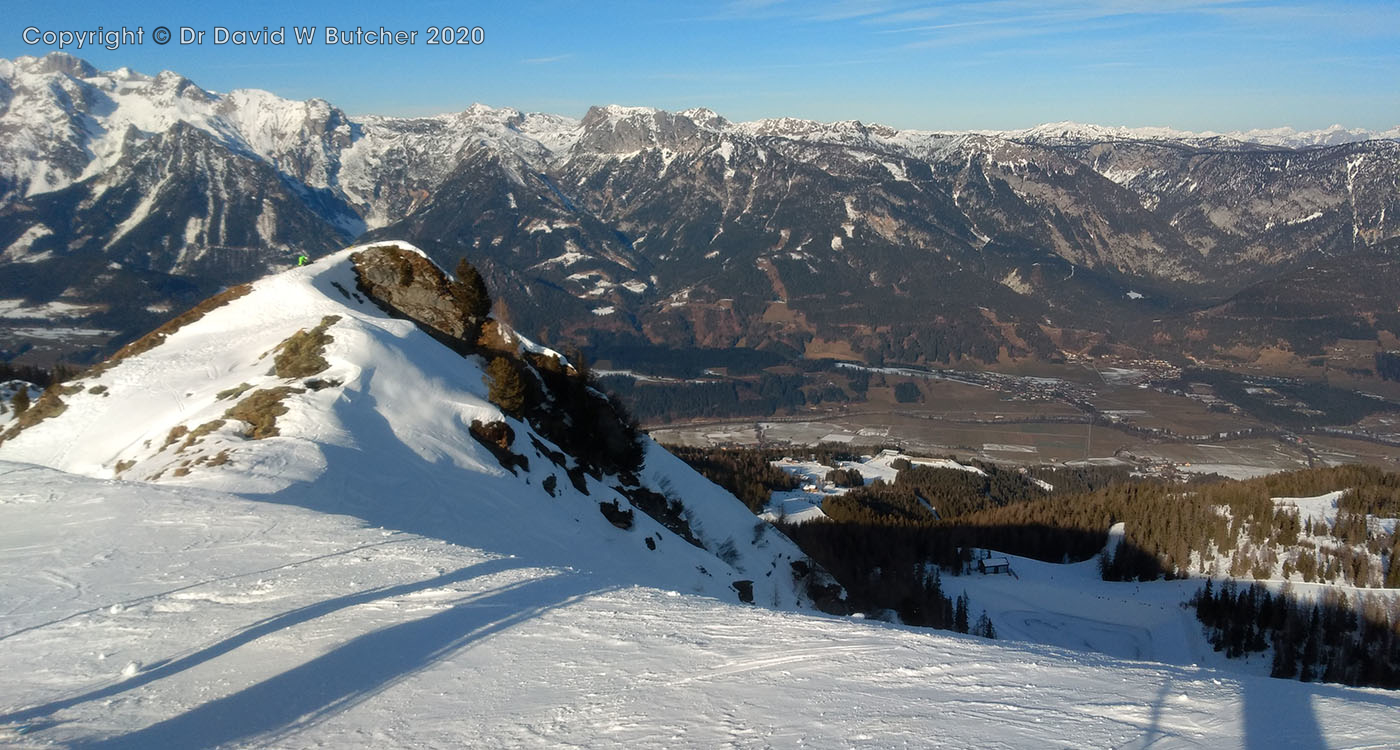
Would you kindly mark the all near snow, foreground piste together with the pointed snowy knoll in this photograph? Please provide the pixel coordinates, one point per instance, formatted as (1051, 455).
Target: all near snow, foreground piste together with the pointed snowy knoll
(373, 579)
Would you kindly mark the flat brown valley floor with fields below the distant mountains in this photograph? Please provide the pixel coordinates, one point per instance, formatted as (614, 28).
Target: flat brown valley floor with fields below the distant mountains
(1030, 419)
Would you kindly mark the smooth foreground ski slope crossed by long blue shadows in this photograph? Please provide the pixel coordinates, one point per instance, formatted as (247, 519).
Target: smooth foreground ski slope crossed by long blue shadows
(138, 616)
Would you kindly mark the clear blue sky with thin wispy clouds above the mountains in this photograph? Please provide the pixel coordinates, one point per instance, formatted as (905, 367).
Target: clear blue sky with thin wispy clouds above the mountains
(1198, 65)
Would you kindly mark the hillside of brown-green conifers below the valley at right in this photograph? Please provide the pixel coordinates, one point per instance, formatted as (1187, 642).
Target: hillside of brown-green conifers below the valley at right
(1321, 534)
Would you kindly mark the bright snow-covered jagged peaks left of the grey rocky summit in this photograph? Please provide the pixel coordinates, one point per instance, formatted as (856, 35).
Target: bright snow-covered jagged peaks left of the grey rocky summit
(66, 122)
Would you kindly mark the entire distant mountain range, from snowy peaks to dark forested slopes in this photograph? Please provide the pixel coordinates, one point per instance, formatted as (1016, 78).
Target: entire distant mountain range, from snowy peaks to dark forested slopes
(125, 197)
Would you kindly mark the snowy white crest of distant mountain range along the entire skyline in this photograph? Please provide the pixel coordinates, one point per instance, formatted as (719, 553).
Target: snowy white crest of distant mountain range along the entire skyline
(66, 121)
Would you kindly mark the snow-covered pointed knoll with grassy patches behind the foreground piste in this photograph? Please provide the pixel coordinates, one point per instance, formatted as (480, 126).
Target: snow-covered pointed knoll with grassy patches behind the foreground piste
(386, 439)
